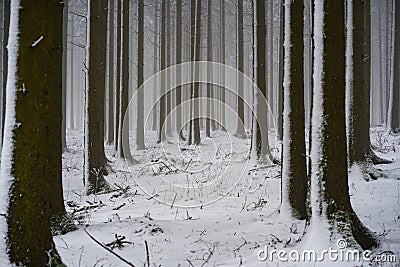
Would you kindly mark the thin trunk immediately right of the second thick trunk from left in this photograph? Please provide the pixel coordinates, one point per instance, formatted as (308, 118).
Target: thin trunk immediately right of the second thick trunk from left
(110, 101)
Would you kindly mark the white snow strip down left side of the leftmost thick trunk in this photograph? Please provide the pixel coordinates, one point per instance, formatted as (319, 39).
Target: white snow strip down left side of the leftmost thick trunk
(6, 177)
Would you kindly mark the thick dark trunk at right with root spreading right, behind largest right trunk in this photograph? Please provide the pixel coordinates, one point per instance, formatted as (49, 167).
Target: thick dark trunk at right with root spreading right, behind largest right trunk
(359, 91)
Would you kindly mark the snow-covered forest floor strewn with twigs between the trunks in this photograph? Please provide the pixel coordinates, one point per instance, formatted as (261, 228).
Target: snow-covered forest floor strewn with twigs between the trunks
(225, 217)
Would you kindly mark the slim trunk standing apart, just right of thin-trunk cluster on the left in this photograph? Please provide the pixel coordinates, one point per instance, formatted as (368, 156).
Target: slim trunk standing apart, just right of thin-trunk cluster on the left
(140, 79)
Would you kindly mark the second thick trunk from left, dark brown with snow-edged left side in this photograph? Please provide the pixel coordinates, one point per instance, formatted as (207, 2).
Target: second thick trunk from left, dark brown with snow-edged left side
(95, 159)
